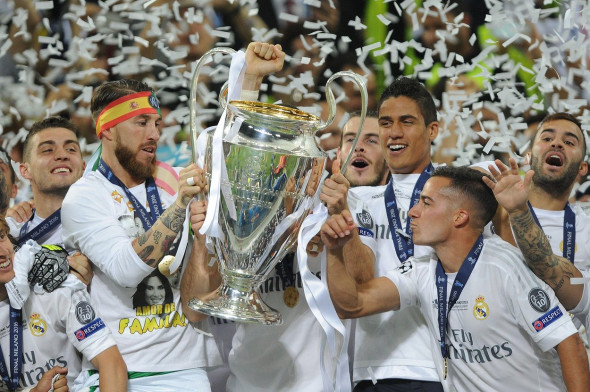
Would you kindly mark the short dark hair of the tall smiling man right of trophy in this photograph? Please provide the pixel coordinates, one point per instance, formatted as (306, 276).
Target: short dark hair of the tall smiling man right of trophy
(414, 90)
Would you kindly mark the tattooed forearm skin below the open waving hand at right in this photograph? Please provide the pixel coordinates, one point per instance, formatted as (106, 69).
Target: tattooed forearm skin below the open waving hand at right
(539, 256)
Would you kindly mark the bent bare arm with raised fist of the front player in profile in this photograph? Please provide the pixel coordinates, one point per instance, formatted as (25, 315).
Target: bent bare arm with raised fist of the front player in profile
(351, 299)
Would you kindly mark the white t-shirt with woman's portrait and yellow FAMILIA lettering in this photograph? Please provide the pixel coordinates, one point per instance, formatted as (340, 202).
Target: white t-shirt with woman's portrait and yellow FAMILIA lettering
(152, 333)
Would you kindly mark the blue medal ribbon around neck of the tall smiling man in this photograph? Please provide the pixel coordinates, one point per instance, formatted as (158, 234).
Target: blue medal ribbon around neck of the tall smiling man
(404, 246)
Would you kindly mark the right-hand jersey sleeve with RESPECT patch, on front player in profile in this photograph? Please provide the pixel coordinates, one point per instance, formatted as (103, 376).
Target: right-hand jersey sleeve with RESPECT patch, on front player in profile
(537, 309)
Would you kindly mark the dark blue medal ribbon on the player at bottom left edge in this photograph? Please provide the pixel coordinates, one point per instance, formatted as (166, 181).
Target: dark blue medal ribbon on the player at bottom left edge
(16, 351)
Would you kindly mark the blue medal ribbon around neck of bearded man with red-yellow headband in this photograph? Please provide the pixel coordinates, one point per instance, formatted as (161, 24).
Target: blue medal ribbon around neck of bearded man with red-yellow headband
(147, 218)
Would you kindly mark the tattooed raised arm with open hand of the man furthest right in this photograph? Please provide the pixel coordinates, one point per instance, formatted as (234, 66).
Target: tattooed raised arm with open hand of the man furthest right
(512, 192)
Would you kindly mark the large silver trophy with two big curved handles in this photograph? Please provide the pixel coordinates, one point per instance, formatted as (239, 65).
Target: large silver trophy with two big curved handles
(273, 172)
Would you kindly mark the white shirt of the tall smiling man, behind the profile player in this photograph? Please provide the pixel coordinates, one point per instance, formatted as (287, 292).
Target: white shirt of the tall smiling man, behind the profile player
(390, 344)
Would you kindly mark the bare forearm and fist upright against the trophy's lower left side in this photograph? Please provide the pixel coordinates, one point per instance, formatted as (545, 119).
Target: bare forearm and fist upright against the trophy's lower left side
(199, 279)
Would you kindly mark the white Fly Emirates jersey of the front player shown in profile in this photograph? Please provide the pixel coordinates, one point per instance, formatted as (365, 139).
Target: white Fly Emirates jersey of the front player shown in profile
(502, 328)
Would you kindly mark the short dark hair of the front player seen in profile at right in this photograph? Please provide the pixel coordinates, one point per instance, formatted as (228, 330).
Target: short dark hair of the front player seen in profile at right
(468, 183)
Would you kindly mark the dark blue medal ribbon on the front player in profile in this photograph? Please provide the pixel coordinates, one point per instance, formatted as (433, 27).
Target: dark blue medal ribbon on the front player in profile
(458, 285)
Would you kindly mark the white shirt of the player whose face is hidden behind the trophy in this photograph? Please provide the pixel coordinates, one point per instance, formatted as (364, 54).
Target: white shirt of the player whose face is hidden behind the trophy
(282, 357)
